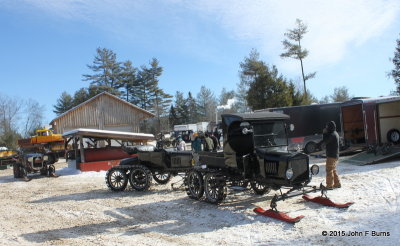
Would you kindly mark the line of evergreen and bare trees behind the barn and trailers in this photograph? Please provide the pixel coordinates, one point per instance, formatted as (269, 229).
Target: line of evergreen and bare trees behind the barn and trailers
(260, 86)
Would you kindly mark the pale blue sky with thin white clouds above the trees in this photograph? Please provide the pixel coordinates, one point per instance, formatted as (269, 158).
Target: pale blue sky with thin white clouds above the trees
(46, 44)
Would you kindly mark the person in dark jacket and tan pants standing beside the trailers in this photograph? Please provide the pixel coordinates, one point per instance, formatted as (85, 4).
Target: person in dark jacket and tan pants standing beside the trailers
(331, 140)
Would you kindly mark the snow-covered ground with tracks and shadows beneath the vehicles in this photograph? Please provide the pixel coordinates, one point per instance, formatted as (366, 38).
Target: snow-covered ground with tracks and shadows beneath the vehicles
(78, 209)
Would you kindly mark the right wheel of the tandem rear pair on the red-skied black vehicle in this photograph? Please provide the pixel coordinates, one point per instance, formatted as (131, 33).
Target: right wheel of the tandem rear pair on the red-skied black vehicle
(214, 187)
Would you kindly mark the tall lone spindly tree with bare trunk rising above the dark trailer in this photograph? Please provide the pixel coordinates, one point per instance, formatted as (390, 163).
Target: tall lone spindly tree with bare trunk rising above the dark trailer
(294, 49)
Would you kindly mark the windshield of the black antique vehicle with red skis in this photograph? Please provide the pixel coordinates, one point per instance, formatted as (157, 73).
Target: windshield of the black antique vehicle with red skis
(269, 134)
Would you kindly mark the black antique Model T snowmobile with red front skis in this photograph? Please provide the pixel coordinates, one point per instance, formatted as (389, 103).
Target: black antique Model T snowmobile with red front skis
(255, 151)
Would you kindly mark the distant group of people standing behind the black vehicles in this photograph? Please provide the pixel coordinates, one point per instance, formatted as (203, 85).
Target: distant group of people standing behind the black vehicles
(201, 142)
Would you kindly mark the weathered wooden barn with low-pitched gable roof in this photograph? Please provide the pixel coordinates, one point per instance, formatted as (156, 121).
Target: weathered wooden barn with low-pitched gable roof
(103, 112)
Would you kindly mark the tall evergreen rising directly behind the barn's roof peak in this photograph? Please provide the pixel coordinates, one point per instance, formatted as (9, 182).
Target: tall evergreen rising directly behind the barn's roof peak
(106, 70)
